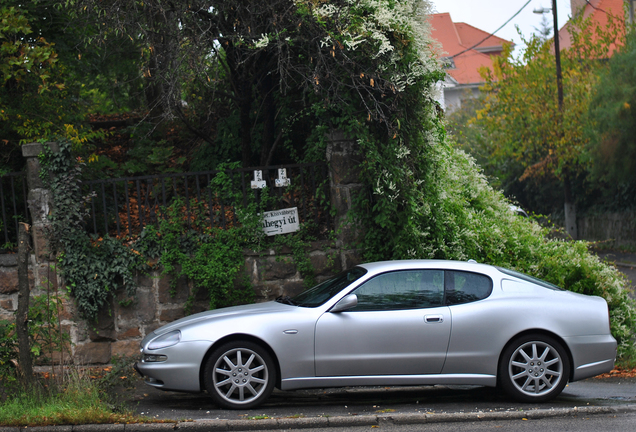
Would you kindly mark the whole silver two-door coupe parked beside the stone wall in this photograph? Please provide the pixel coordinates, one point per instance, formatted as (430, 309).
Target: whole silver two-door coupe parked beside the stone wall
(389, 323)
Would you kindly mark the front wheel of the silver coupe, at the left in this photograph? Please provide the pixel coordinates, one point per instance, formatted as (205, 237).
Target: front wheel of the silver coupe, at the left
(239, 375)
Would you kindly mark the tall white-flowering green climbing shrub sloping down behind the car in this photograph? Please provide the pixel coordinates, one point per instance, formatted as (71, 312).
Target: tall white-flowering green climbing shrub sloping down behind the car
(429, 200)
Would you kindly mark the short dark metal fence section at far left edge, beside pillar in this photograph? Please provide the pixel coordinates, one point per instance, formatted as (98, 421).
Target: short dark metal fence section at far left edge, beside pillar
(13, 194)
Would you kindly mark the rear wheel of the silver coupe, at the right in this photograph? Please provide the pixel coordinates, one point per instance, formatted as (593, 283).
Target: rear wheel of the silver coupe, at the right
(534, 368)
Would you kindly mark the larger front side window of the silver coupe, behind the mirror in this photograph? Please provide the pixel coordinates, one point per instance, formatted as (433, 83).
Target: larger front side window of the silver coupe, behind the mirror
(409, 289)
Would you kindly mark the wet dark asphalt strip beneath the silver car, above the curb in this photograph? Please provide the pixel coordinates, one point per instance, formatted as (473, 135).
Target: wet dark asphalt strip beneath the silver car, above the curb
(347, 402)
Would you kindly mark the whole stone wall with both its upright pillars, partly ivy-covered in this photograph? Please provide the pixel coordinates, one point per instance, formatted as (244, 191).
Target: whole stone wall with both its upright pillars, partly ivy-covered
(120, 327)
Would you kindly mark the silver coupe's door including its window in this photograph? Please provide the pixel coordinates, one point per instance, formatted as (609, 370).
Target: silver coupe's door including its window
(399, 327)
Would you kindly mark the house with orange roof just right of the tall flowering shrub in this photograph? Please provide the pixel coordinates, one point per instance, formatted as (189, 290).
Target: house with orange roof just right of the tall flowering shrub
(465, 49)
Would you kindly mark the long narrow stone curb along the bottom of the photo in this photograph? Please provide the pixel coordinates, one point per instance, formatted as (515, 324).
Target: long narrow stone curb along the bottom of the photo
(340, 421)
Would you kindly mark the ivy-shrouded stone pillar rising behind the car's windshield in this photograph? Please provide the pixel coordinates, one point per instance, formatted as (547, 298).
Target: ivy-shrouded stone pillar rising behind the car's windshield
(344, 159)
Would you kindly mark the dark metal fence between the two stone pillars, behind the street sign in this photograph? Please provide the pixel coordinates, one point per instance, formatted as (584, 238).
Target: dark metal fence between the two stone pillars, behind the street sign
(124, 206)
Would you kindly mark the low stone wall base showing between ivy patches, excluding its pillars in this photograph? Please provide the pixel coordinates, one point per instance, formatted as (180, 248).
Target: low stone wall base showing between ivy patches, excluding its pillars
(121, 326)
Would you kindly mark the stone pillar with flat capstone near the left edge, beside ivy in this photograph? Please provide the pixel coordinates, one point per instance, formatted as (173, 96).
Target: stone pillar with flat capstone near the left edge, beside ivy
(39, 199)
